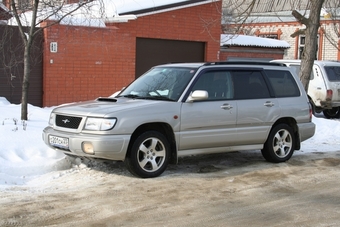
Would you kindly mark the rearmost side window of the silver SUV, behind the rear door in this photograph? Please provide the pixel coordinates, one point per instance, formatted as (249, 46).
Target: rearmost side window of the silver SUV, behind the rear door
(283, 83)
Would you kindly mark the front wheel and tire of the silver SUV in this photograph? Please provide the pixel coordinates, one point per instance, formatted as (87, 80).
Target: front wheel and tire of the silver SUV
(149, 155)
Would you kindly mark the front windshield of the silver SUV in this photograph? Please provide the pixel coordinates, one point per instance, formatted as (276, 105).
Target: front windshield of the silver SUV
(162, 83)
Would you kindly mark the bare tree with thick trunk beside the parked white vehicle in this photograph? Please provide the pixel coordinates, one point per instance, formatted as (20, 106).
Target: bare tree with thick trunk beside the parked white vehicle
(245, 8)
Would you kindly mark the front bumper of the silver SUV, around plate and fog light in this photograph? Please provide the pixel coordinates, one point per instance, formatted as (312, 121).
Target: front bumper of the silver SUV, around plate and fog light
(113, 147)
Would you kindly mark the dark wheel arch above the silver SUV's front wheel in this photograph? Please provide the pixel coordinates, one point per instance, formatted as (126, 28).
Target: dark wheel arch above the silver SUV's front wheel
(161, 127)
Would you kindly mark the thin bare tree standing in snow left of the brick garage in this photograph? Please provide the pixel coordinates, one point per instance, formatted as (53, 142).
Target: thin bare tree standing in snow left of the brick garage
(39, 11)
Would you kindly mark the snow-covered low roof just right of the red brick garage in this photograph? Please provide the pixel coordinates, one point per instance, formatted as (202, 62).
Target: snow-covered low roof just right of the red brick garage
(252, 41)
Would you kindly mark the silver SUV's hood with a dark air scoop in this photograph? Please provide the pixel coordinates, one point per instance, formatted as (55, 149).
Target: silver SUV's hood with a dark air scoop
(104, 107)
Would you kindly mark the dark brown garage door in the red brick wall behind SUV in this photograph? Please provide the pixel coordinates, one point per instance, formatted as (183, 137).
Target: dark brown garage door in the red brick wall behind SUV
(150, 52)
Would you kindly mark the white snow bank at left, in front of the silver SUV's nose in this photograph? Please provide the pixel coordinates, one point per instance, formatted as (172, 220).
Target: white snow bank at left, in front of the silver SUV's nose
(23, 154)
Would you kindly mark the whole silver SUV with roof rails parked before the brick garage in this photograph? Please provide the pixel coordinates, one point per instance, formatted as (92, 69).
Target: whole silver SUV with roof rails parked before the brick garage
(186, 109)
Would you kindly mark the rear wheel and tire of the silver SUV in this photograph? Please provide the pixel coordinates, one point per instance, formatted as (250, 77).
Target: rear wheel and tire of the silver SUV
(279, 146)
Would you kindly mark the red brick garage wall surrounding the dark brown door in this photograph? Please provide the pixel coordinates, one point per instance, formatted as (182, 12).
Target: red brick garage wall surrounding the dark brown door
(93, 62)
